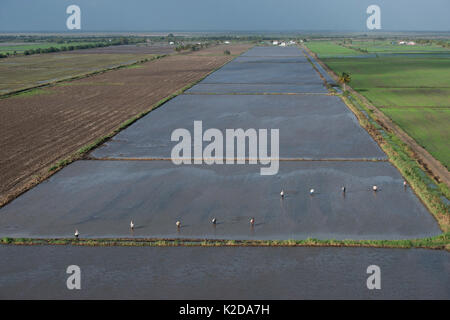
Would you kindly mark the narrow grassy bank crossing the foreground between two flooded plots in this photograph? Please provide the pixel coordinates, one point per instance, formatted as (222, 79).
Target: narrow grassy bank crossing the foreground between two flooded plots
(438, 242)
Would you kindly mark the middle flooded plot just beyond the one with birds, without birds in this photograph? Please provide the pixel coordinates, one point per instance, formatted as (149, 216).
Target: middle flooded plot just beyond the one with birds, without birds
(310, 126)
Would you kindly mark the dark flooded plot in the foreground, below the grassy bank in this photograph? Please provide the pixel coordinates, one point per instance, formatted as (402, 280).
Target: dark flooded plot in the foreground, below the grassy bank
(39, 272)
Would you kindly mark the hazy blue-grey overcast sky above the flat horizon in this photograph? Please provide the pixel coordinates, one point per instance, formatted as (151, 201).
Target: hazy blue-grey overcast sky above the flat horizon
(224, 15)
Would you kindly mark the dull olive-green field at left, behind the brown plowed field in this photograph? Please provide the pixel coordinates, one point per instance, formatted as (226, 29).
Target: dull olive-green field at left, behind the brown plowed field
(26, 71)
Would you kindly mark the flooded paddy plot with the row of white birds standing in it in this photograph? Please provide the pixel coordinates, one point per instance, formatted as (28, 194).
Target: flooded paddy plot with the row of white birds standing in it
(100, 198)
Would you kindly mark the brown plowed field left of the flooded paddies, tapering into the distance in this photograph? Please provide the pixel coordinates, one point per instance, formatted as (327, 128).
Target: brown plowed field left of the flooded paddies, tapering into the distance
(38, 130)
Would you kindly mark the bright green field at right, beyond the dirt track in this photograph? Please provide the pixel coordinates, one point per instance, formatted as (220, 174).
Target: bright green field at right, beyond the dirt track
(413, 90)
